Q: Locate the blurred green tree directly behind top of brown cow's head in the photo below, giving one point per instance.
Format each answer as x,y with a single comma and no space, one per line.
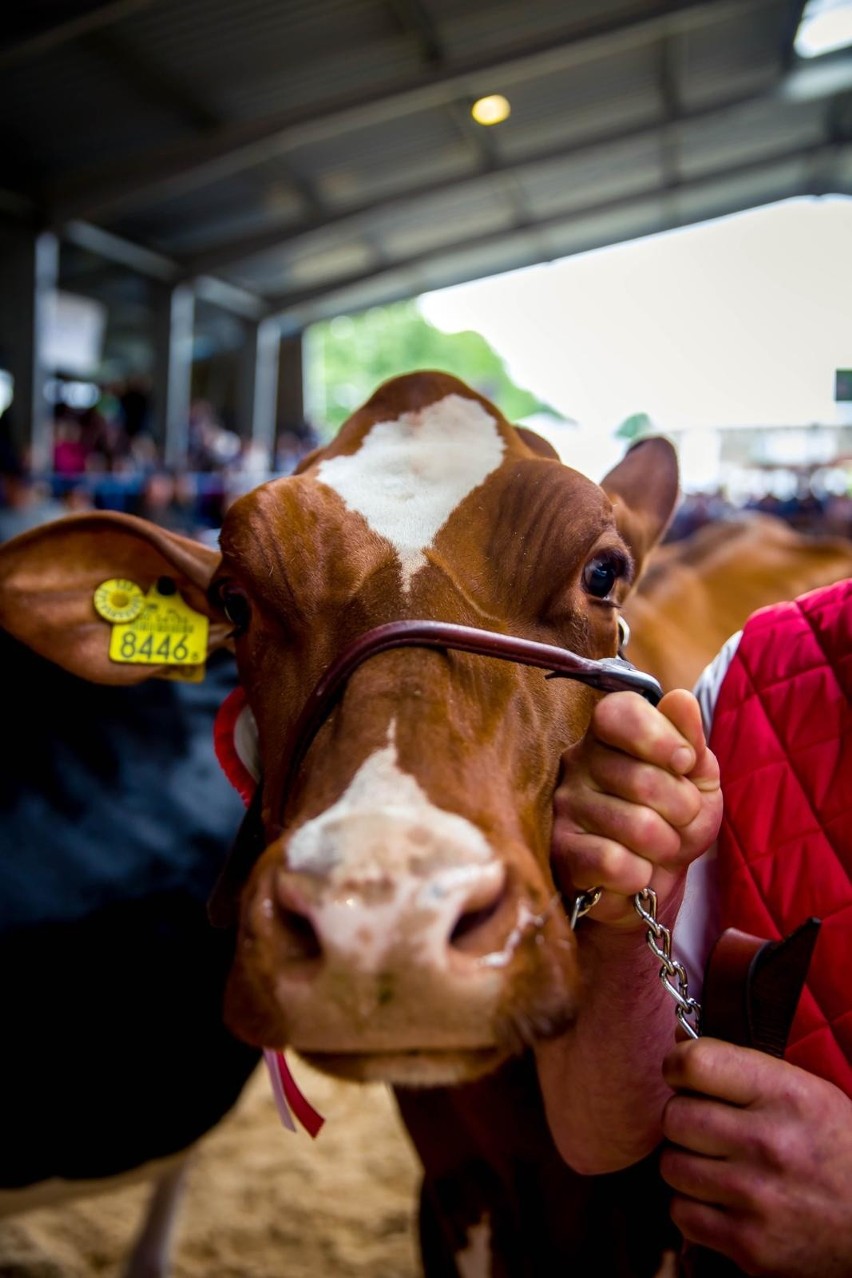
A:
351,356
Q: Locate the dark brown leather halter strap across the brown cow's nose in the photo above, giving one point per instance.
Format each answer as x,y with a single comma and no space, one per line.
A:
607,675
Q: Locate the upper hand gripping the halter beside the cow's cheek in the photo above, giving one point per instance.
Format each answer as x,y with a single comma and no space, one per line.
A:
638,801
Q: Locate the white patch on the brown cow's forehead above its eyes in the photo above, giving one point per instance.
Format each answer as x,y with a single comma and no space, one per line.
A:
411,475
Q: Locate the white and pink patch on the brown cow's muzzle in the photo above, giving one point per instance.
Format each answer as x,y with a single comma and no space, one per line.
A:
385,833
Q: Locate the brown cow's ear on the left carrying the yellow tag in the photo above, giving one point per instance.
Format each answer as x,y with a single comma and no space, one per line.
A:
49,578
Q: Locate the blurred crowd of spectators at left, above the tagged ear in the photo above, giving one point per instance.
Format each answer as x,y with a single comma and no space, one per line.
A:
105,458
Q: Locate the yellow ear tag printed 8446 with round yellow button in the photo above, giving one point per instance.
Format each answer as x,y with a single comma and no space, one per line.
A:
163,632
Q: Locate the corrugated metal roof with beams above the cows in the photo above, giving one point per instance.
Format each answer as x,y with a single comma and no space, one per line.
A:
321,155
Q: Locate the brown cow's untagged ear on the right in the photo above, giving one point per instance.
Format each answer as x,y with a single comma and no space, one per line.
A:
644,491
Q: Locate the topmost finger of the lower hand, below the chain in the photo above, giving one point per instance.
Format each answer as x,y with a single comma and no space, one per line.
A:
721,1070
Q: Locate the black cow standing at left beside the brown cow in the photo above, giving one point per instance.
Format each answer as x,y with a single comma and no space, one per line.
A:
116,821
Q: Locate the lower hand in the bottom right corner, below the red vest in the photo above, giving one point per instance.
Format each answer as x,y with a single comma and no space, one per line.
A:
761,1161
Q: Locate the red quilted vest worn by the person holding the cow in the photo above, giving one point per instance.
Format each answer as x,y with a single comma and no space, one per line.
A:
782,732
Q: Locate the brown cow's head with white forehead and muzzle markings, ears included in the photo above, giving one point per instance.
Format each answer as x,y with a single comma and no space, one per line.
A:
402,922
